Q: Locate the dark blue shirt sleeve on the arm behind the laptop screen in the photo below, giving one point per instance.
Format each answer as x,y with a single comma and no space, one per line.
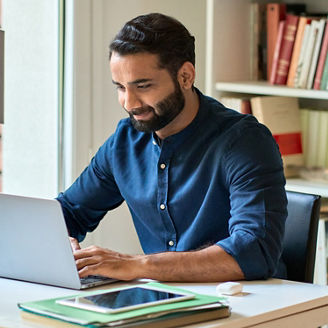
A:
89,198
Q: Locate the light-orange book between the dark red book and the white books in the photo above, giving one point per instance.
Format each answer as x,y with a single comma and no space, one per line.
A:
296,50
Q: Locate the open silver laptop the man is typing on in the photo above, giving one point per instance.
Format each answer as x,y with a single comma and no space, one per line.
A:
35,246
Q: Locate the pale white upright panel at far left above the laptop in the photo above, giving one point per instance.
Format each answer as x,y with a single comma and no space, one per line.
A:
31,107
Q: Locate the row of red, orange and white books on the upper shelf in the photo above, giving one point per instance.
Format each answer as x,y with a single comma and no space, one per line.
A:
295,46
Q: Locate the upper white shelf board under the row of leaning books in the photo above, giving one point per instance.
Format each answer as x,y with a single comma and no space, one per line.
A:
265,88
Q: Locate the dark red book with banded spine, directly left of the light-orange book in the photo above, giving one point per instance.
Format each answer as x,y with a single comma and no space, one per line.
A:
286,49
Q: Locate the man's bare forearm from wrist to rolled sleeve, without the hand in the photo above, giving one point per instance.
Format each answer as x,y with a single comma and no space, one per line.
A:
209,264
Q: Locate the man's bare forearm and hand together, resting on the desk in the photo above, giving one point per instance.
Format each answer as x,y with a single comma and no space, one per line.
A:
209,264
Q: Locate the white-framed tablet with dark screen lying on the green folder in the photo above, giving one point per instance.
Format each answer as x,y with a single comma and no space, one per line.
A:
125,299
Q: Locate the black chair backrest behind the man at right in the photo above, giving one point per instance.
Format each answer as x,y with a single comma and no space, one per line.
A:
300,240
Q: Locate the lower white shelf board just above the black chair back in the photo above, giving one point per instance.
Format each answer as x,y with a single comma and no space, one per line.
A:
310,187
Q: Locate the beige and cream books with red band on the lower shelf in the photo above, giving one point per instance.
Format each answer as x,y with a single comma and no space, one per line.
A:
301,133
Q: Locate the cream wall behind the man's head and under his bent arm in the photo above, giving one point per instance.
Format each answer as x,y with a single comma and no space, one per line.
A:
96,110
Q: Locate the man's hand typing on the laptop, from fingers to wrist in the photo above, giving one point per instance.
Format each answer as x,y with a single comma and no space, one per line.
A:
95,260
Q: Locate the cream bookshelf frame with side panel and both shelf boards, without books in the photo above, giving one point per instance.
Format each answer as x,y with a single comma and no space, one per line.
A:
228,65
